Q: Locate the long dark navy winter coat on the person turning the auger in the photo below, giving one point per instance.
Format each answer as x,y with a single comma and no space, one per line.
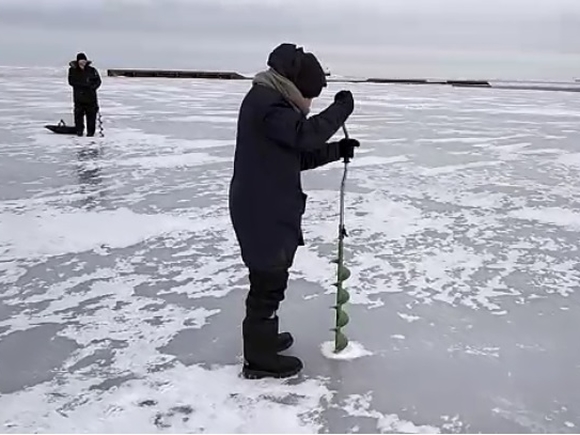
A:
274,144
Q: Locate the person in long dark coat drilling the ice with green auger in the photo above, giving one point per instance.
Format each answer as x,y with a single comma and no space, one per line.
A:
275,141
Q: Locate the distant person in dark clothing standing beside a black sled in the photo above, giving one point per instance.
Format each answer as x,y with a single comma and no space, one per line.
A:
85,80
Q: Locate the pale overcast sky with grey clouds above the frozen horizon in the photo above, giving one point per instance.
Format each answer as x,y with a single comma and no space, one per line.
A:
419,38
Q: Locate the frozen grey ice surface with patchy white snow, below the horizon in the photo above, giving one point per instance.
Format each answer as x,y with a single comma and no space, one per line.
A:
121,286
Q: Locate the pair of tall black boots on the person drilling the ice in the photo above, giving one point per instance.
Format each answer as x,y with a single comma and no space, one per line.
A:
261,344
